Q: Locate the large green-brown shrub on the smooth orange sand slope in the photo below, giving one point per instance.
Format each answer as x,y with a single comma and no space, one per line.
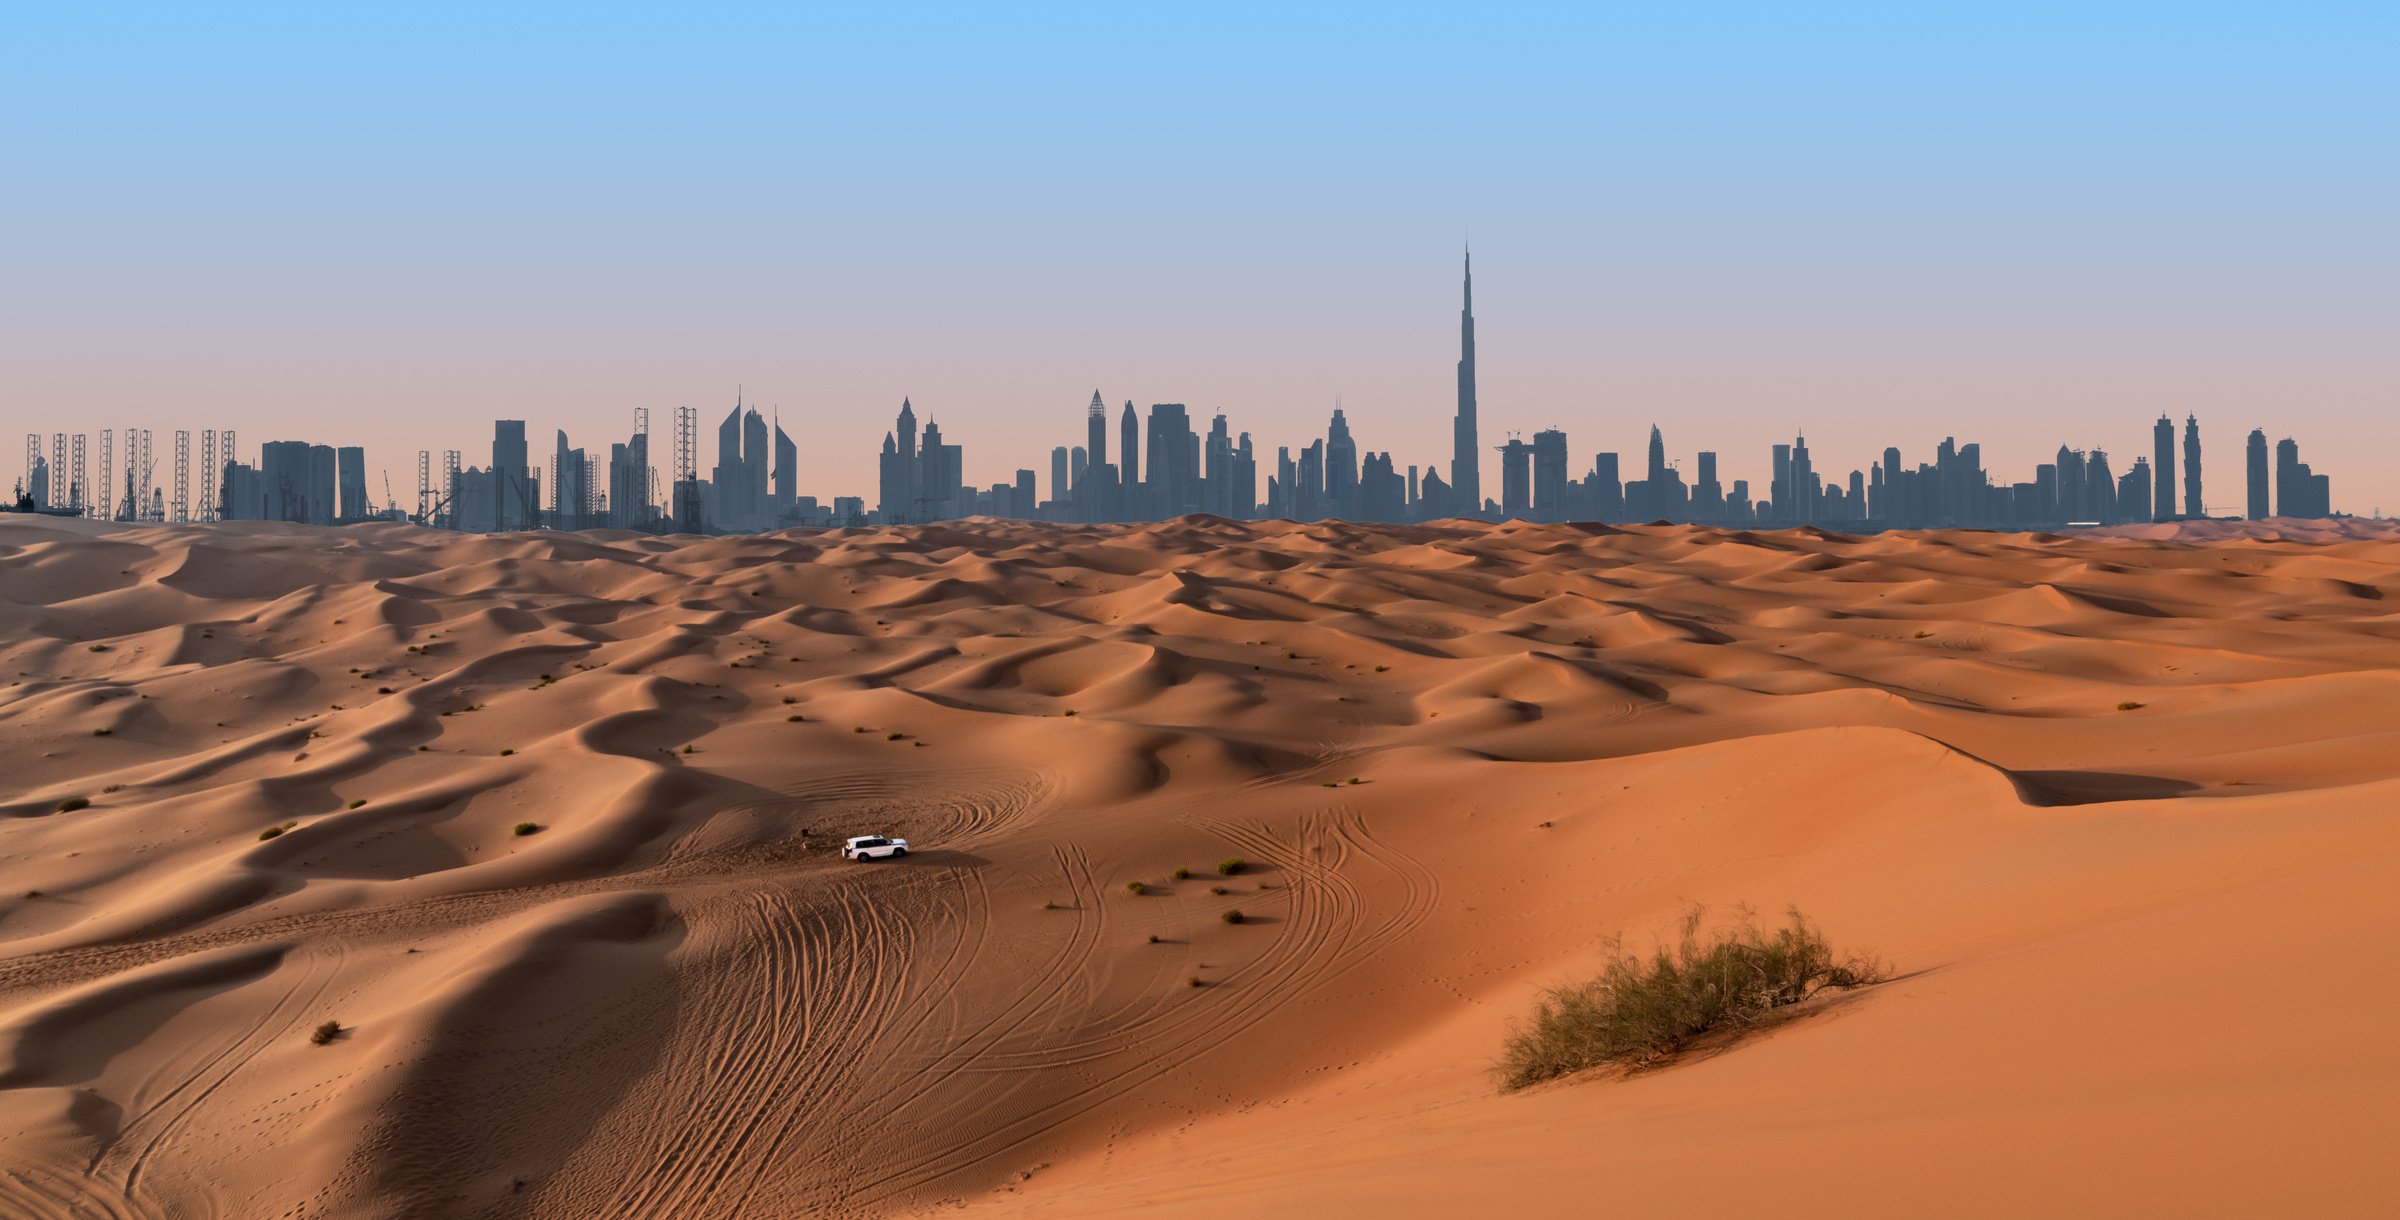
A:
1648,1007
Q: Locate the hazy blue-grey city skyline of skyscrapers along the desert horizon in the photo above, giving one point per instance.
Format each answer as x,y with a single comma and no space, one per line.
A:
1160,467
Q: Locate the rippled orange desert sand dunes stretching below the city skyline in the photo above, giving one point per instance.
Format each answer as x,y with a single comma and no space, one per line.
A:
2118,813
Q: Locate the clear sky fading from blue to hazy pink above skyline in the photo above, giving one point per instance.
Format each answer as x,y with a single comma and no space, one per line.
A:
2022,225
